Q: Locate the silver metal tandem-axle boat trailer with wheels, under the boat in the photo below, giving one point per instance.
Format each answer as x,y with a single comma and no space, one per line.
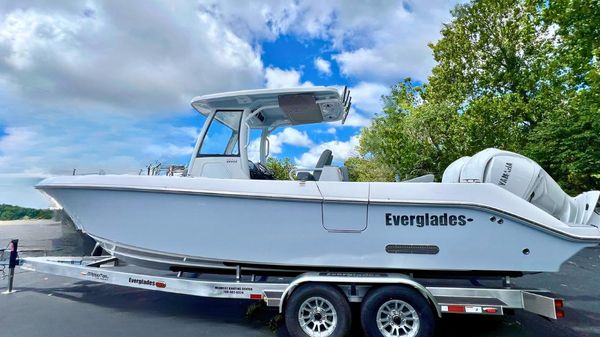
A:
283,292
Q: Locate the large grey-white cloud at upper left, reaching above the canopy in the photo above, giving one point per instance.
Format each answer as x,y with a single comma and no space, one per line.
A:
120,56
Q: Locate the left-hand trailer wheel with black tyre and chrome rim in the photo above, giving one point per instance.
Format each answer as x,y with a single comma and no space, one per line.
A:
318,310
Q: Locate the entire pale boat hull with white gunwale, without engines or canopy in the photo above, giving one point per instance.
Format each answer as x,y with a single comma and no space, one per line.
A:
198,222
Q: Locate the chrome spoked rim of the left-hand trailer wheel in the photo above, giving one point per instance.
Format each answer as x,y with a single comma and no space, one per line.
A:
317,317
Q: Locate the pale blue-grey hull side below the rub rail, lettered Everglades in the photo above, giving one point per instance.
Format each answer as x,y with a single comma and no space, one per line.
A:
282,233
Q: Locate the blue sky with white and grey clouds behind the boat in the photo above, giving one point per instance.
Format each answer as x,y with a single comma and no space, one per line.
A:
106,85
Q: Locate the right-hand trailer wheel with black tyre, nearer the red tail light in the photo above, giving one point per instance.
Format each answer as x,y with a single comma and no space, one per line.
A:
396,311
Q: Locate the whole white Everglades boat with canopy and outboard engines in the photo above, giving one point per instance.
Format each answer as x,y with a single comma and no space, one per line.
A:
495,212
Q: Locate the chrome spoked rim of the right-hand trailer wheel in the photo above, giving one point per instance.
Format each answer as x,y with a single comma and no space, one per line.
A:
396,318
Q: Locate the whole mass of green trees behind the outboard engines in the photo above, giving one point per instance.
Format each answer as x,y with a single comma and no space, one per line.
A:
520,75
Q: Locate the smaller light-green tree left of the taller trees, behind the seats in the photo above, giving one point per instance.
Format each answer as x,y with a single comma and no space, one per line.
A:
413,137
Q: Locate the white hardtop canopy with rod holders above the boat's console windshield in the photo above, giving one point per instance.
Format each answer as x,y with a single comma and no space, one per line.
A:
277,107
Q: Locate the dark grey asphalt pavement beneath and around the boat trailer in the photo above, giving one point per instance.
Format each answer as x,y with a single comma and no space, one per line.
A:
53,306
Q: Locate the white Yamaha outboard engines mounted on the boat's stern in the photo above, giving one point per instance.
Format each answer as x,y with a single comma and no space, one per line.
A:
526,179
